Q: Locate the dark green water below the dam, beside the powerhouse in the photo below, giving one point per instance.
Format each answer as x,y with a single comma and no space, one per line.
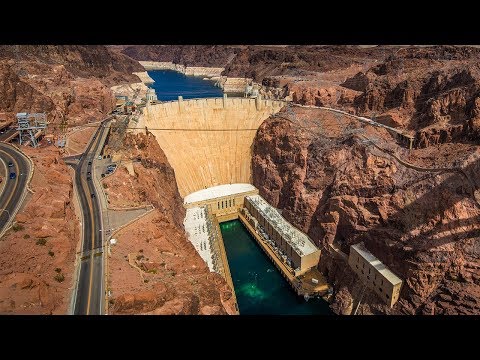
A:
259,286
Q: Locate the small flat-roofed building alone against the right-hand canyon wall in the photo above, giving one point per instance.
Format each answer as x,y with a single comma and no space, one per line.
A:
374,274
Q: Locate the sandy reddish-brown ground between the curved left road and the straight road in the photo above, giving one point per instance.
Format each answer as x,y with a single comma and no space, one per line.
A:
37,255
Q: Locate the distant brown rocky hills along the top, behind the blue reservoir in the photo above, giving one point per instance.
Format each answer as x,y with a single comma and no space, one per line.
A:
259,61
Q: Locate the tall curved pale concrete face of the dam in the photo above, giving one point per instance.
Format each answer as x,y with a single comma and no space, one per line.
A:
208,142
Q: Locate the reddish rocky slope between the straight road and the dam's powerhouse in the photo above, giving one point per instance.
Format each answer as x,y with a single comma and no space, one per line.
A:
167,275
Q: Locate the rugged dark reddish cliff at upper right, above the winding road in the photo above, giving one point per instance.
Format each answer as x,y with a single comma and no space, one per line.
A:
433,90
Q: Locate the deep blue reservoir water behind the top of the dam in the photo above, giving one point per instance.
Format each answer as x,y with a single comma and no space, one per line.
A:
170,84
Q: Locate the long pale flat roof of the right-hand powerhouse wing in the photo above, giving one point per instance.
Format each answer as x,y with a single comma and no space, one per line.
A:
299,241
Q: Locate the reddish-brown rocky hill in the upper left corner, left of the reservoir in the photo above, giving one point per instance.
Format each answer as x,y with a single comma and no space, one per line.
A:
66,82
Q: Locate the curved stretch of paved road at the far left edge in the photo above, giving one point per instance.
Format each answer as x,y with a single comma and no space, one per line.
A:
15,189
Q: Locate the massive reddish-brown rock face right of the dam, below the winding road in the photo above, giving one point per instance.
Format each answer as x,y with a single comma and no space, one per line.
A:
334,186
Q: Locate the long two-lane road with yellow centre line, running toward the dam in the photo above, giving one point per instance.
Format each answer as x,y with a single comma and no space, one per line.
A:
89,294
